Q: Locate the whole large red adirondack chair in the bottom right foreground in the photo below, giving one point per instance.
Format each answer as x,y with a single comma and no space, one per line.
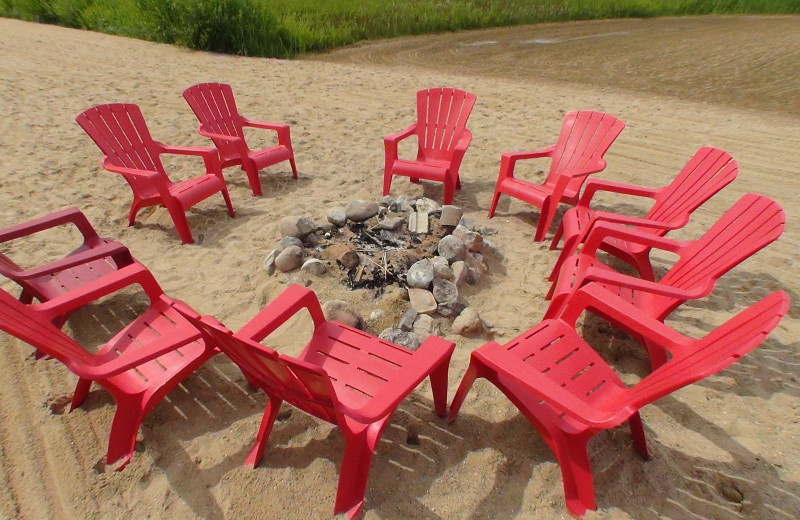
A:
568,393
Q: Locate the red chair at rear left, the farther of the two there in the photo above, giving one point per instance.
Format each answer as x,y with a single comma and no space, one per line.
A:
214,106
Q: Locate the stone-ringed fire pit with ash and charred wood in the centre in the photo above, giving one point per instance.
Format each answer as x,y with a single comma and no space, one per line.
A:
429,251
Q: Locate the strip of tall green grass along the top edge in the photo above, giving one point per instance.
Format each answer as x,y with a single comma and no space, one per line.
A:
283,28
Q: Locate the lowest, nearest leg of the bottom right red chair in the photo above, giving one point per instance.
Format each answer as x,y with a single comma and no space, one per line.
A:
576,472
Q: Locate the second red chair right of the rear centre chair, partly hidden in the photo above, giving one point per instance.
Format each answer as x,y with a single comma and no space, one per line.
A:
707,172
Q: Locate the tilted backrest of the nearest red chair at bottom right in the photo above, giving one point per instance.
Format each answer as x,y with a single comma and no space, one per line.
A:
712,353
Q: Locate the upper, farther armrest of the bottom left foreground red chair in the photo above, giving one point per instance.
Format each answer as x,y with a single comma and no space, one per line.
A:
134,274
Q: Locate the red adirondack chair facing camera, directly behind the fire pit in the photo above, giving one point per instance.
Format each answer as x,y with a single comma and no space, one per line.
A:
442,139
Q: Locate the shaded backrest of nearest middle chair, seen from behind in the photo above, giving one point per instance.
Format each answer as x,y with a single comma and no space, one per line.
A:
305,386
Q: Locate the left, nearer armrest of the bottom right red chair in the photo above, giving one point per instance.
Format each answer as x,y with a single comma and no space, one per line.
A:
498,359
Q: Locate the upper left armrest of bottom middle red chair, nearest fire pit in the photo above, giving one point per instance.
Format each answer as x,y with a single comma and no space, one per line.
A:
293,299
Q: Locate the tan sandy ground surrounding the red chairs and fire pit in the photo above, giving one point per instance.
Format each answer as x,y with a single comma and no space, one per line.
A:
679,84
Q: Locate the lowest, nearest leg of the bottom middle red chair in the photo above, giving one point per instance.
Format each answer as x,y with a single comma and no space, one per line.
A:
360,445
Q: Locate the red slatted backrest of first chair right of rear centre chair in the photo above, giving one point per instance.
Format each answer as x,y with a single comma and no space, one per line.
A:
585,137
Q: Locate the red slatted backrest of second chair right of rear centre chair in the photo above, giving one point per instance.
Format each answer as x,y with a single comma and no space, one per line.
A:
707,172
